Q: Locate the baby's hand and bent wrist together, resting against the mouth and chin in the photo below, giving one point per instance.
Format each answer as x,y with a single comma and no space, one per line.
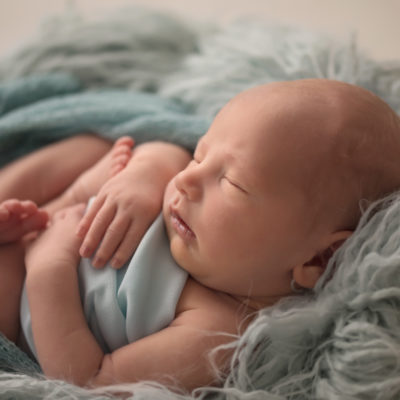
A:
129,202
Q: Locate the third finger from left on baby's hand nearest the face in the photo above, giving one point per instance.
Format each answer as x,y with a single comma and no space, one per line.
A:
111,240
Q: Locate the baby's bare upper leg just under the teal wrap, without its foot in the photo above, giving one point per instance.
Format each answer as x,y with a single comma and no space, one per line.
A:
44,174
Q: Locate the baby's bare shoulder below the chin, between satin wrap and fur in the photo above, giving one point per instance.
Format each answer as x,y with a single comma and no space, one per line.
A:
209,309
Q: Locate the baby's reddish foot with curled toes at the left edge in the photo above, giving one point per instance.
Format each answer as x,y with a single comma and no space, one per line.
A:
18,218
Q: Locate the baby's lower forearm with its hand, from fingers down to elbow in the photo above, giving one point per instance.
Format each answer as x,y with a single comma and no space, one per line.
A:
59,328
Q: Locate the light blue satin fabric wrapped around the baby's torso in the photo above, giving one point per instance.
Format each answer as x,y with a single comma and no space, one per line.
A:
124,305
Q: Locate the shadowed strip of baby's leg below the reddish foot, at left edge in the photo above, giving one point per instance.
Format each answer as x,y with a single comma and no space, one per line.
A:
12,274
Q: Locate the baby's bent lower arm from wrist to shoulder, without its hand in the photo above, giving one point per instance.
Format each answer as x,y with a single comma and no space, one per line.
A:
176,355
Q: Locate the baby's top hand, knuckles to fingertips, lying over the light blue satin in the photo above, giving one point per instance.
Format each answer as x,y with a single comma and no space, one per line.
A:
118,218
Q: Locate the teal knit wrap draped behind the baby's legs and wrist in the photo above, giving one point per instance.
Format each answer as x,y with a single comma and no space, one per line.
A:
38,110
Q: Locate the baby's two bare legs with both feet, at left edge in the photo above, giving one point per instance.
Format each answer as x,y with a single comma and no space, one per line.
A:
20,217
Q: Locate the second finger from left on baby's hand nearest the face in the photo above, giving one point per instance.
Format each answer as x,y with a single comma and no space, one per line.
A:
97,229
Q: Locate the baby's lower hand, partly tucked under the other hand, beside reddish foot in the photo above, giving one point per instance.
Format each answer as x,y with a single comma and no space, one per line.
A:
58,243
